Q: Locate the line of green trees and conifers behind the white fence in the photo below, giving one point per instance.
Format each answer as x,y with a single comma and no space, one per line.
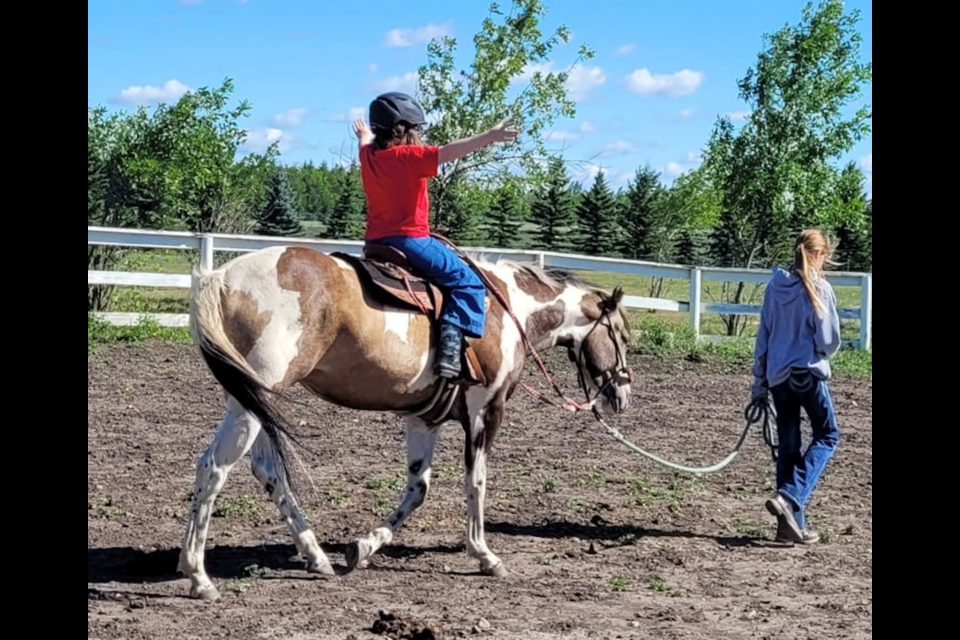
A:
178,166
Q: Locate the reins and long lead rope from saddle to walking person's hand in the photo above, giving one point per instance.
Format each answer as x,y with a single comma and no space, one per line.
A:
758,410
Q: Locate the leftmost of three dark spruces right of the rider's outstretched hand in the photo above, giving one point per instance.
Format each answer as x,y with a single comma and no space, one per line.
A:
553,211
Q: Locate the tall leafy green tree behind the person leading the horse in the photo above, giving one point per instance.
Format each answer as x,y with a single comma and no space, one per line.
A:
774,174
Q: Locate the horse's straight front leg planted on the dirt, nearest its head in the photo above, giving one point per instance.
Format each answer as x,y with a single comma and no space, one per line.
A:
480,428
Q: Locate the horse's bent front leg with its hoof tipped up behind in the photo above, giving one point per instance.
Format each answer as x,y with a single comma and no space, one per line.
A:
421,442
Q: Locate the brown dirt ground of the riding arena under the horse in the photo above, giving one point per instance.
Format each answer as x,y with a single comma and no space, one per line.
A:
599,542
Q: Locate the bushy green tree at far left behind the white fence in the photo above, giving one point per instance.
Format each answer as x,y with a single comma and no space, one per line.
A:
174,168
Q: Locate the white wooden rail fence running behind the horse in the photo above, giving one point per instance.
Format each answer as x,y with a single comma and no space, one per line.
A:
207,244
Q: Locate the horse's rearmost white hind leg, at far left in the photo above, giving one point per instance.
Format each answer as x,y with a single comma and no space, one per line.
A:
236,435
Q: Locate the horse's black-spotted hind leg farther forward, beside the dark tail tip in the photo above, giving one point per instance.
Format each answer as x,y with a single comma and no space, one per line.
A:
264,464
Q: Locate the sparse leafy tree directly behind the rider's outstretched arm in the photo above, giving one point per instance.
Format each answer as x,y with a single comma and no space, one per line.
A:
462,102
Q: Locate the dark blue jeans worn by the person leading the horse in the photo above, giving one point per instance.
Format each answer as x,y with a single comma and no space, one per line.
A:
797,474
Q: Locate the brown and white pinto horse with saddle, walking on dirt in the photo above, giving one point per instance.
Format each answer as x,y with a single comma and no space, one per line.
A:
360,332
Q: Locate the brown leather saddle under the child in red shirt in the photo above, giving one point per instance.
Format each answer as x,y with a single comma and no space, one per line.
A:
387,276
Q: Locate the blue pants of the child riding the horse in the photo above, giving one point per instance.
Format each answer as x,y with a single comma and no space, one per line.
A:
464,292
